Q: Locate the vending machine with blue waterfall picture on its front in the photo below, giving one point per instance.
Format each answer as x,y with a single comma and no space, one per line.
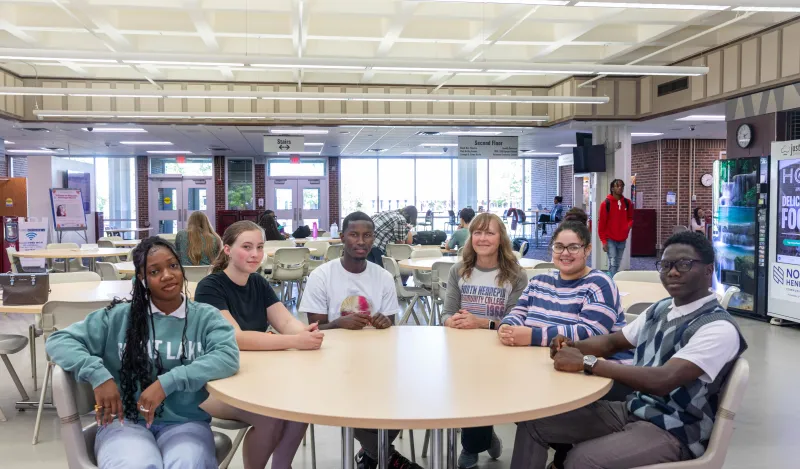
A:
739,232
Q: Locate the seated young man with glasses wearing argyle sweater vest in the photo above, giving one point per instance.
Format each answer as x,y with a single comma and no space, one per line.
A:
684,347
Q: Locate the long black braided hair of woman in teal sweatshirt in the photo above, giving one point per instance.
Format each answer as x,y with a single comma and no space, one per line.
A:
137,367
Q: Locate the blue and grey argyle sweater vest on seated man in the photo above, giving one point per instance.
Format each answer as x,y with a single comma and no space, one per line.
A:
688,412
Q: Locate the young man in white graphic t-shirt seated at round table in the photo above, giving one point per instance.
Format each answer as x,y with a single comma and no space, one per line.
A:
352,293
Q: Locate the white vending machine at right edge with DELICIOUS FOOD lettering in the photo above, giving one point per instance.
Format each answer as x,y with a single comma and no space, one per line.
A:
784,236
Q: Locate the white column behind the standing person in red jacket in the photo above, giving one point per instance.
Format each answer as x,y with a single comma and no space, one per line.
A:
617,139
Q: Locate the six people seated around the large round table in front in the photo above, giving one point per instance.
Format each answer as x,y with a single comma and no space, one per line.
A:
149,358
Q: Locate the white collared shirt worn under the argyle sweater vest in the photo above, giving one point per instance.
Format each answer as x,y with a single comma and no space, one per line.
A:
710,348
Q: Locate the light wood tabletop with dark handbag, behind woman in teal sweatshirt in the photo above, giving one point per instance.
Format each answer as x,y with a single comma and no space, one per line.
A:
83,291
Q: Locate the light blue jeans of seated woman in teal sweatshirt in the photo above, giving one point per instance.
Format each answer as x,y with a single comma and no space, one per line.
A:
182,446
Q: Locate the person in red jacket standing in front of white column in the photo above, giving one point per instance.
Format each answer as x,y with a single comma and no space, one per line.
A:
616,221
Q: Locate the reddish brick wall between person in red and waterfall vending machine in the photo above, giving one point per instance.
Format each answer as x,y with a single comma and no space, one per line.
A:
685,183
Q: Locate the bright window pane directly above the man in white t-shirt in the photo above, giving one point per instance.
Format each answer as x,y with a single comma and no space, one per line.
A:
358,185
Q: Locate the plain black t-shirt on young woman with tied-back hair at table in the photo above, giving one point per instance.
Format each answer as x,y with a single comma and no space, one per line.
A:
247,304
